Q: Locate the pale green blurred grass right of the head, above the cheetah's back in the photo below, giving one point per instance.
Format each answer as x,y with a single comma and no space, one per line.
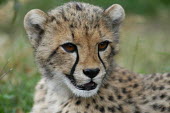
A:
145,45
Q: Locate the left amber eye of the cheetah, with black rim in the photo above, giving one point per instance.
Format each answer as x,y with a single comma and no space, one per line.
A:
69,47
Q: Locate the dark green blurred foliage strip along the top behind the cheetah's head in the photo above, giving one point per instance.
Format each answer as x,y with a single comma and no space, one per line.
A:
131,6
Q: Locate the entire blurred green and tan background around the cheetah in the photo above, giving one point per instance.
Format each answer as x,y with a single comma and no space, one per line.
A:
144,45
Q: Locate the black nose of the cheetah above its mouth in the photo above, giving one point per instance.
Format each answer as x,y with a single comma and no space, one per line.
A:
91,72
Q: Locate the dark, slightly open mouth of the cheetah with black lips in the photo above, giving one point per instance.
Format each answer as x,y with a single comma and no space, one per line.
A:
88,86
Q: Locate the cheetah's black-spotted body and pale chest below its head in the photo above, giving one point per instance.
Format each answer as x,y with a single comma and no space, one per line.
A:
124,92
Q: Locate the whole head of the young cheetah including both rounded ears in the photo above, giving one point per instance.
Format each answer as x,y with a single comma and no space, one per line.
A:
75,44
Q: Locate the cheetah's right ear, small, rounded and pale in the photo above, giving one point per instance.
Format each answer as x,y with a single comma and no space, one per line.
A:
116,13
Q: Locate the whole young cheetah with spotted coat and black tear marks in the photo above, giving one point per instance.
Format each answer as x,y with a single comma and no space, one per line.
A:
74,46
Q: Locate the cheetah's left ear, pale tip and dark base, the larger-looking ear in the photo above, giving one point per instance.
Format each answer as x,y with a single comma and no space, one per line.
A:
34,23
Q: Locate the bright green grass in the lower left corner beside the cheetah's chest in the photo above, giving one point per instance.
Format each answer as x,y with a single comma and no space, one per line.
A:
17,96
